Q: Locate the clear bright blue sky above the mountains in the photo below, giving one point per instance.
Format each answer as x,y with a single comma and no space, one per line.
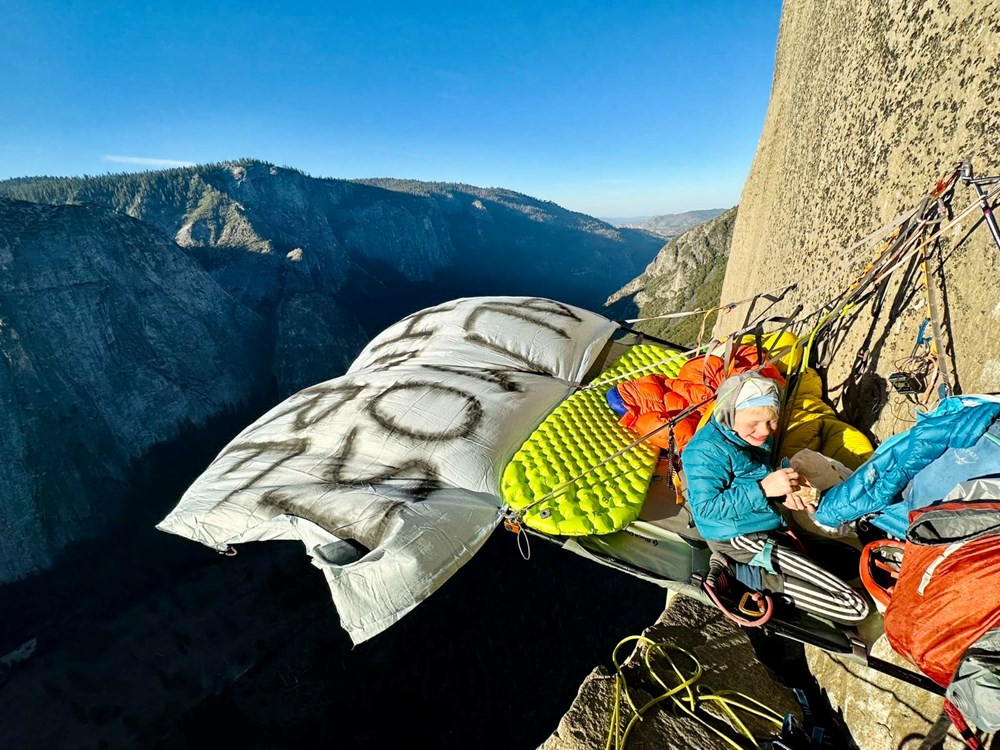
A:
610,108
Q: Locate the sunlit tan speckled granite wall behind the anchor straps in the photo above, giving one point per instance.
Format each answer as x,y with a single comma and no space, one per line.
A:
871,104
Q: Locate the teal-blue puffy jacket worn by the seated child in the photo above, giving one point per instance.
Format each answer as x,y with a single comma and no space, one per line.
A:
723,472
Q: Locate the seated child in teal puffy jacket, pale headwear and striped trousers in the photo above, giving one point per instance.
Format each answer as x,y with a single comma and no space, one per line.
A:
732,491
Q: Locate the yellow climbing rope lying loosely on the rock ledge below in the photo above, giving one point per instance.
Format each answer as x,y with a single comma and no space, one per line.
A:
692,699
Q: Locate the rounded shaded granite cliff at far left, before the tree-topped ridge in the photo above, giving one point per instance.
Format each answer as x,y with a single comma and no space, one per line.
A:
111,338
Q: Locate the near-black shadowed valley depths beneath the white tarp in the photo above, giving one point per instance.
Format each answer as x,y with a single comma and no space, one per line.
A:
148,640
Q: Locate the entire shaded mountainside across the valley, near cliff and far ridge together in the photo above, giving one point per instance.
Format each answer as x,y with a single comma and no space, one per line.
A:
133,304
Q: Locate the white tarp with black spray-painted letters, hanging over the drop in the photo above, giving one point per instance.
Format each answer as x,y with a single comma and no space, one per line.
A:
403,454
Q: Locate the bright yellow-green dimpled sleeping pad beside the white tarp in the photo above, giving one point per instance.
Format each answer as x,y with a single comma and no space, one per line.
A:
577,436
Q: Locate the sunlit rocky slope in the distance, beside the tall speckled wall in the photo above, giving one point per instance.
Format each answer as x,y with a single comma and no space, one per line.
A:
685,275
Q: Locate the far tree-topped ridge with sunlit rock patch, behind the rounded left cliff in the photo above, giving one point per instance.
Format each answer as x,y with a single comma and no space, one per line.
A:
380,247
